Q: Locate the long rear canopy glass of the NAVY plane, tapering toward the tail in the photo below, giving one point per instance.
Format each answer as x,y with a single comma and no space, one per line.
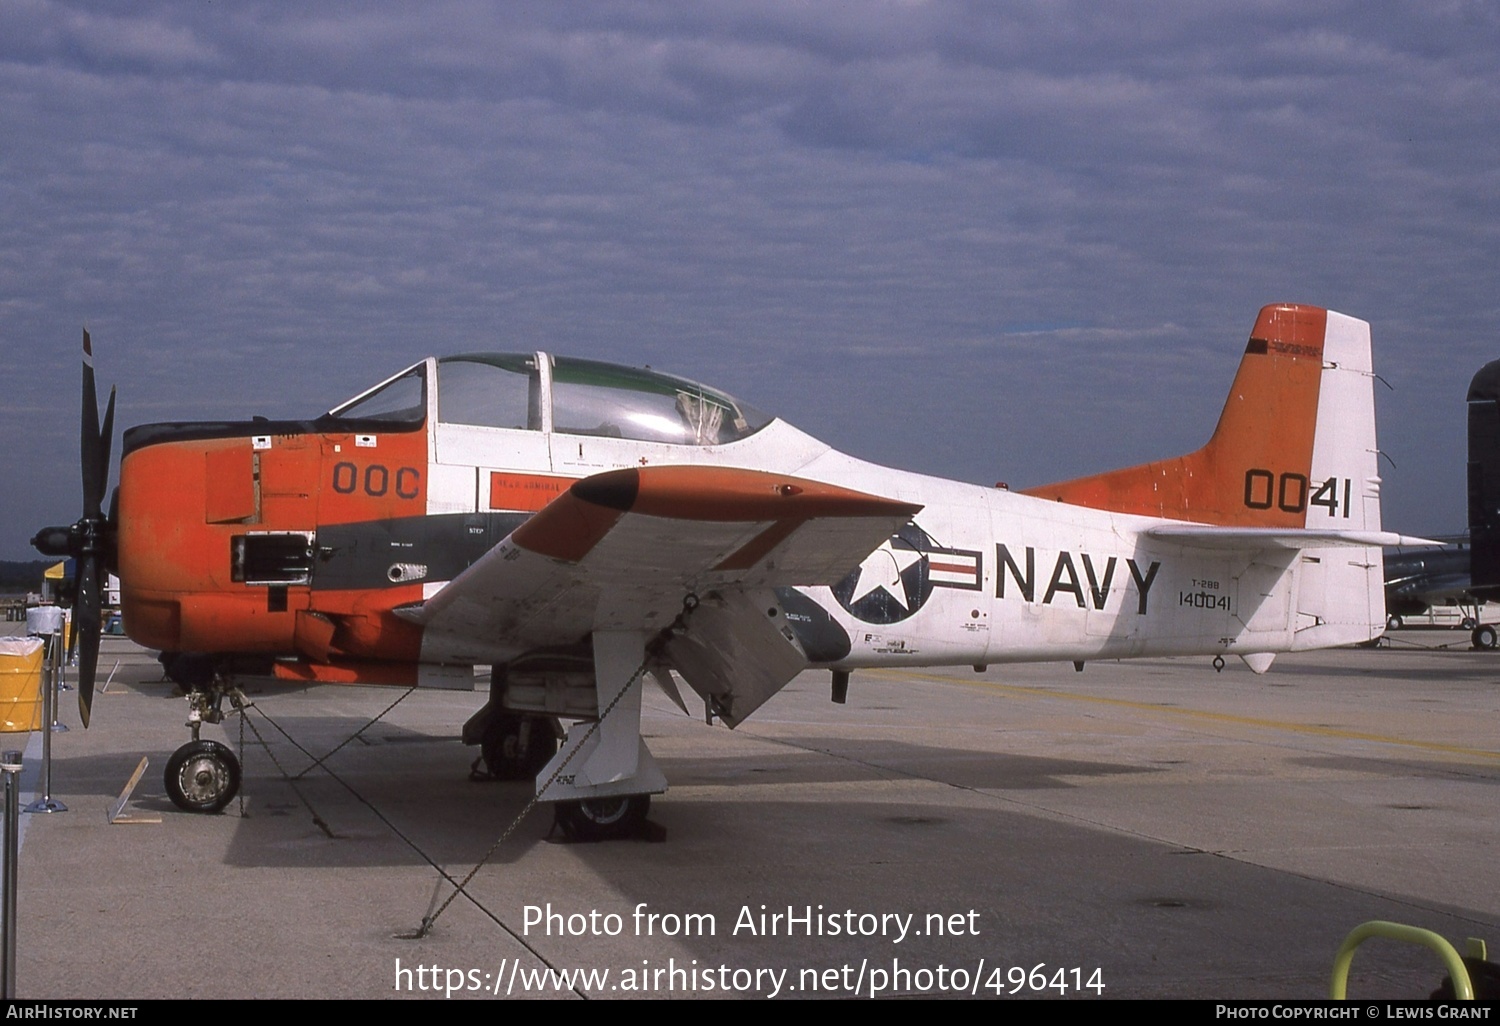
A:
593,398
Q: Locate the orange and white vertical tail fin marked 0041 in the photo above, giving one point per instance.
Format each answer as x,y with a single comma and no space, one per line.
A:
1295,446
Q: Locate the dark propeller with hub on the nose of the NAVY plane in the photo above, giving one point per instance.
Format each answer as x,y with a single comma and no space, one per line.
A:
92,539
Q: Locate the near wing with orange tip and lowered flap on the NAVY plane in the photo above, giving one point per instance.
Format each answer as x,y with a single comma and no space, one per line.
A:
620,551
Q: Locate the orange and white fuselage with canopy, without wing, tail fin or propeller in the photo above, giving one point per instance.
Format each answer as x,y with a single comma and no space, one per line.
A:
301,539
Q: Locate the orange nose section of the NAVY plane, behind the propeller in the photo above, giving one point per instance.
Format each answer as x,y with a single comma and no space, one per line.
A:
220,541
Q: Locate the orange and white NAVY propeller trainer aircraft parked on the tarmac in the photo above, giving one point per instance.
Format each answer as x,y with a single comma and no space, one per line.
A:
583,527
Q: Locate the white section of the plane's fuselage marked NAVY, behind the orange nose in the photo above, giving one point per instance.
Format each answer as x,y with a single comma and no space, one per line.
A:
983,575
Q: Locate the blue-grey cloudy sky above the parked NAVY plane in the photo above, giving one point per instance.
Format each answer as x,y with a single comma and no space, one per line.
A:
989,241
